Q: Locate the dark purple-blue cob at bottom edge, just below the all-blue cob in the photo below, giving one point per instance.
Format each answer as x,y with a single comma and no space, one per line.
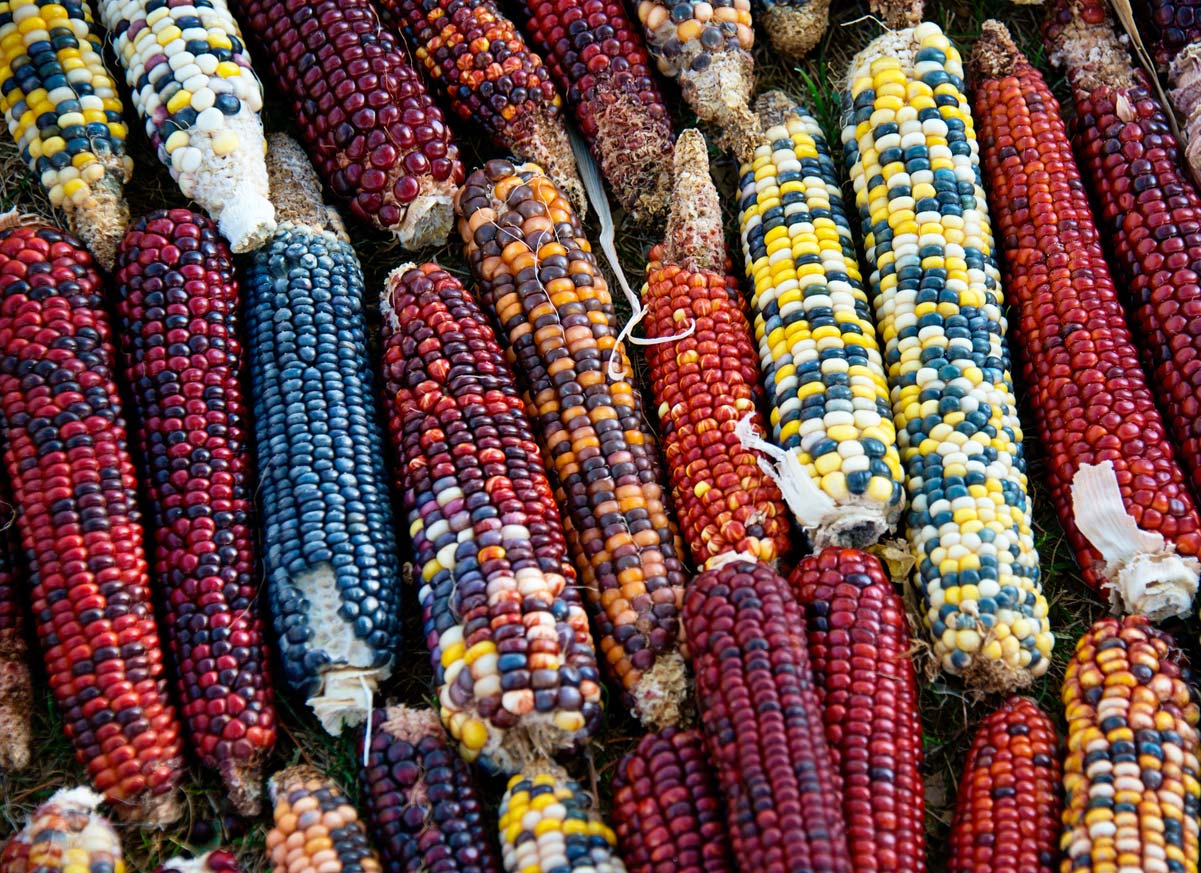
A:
421,798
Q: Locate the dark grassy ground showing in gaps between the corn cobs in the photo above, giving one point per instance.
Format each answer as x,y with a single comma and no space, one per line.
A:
948,711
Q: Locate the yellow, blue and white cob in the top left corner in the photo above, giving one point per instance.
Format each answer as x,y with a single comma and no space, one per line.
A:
65,115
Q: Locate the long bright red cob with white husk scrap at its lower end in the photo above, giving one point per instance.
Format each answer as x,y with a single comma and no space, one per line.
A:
1092,403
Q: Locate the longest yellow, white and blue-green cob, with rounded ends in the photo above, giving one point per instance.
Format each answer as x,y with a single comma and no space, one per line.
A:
913,158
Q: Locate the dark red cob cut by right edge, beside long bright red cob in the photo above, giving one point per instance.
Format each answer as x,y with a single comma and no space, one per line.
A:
1149,211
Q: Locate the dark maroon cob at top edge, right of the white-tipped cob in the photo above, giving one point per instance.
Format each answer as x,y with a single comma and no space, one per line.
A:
372,129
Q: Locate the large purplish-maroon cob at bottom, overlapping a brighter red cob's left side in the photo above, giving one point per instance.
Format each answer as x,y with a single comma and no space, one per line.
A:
763,721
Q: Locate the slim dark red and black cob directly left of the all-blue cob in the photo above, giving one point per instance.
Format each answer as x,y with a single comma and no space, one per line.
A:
178,302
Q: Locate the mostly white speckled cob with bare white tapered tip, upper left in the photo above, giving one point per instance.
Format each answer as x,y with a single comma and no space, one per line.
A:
195,91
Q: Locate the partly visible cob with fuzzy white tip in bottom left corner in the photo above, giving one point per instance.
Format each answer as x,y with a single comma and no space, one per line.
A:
65,835
